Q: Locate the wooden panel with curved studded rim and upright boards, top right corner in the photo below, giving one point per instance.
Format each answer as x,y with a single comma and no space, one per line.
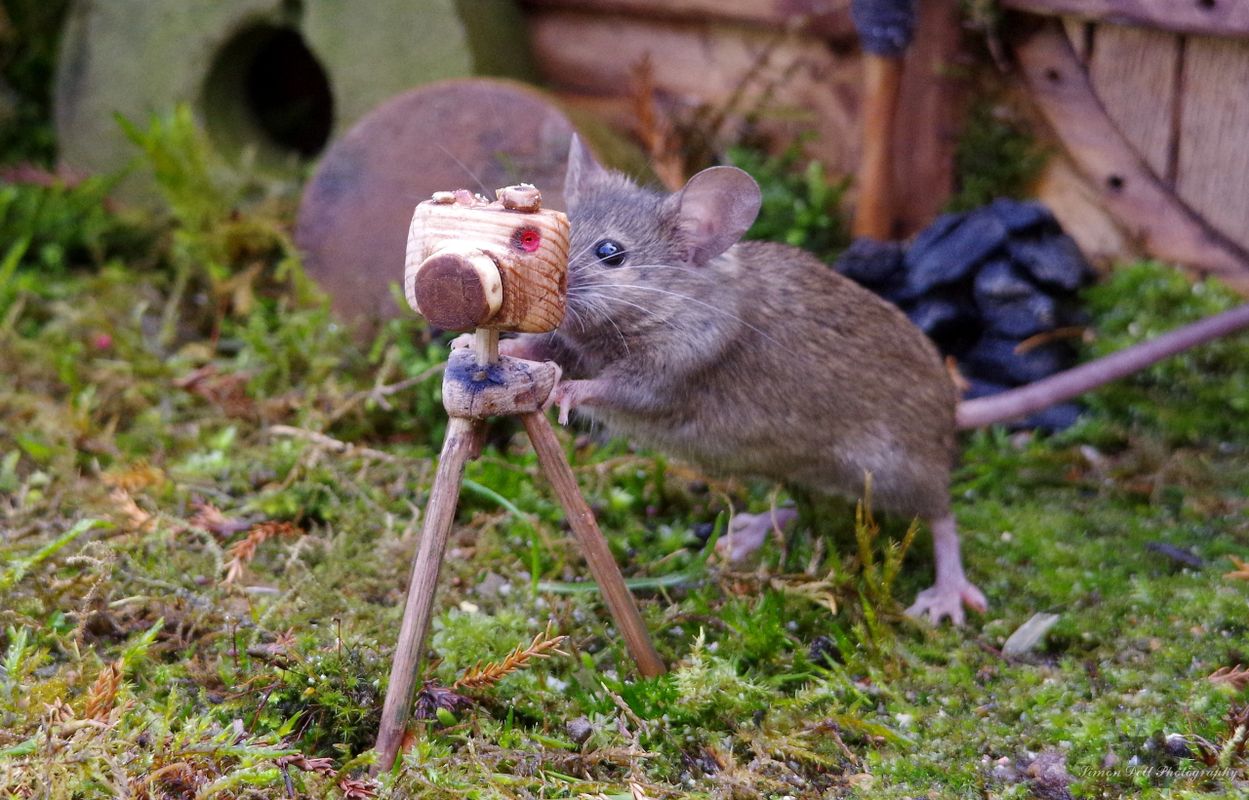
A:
1151,100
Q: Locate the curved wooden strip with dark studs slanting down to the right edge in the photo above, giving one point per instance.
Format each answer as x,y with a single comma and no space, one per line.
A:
1155,217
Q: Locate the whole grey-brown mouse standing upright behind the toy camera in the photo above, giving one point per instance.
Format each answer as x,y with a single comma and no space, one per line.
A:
755,360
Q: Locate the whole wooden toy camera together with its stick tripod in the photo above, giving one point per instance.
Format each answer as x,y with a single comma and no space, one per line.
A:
475,265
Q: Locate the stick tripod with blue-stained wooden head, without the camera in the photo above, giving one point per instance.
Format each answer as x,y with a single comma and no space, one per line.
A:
480,384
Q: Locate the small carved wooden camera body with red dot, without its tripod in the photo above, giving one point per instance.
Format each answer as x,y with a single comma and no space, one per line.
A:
475,264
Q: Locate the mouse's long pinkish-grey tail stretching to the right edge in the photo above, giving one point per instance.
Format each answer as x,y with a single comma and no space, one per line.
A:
1064,386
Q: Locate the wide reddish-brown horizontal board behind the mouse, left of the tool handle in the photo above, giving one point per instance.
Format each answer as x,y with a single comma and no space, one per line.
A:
795,83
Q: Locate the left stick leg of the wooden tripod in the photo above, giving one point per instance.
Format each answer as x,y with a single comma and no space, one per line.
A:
462,444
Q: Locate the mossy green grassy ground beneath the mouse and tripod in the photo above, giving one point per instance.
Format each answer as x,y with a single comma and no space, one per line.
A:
208,506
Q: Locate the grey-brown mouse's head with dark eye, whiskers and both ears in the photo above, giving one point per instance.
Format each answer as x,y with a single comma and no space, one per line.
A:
630,244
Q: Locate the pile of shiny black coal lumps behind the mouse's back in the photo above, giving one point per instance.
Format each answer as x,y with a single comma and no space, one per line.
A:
987,286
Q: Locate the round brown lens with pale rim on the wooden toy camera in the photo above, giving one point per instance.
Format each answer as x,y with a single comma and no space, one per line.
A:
458,289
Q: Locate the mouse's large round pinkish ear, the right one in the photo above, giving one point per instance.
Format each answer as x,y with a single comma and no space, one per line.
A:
715,210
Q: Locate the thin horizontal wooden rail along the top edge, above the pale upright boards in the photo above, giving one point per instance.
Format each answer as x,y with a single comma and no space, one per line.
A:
1211,18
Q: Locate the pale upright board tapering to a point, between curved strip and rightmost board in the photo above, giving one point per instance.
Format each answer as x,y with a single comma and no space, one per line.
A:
1135,73
